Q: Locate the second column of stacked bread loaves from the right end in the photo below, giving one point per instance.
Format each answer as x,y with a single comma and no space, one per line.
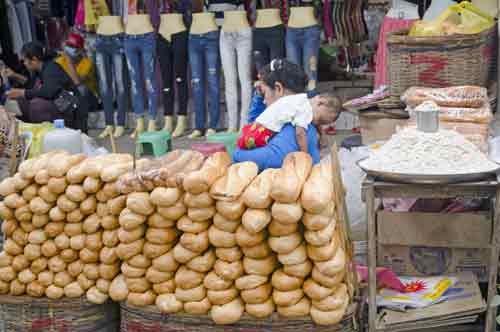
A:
287,236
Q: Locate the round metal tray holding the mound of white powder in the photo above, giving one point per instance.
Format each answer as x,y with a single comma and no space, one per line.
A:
428,179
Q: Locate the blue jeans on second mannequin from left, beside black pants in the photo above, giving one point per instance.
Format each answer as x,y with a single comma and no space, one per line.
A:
141,53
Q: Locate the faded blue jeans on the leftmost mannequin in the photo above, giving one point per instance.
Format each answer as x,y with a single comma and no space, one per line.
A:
109,62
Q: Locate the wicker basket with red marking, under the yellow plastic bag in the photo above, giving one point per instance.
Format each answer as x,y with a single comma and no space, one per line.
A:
437,62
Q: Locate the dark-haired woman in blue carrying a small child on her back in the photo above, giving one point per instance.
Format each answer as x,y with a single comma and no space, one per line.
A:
285,79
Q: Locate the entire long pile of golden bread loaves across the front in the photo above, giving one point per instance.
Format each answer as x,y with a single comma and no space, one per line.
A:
184,233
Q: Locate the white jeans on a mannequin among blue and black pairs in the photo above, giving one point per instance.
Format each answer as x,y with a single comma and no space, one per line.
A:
236,51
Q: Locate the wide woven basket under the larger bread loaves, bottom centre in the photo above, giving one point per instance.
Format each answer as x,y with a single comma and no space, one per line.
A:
149,319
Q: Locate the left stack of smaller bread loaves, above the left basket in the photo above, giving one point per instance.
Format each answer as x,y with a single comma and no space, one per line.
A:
55,236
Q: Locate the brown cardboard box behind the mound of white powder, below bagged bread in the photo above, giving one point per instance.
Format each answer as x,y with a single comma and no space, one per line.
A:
378,129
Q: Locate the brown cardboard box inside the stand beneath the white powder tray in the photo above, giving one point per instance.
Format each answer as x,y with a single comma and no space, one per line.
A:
425,244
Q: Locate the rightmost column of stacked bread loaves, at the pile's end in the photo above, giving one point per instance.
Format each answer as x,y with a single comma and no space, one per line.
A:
324,286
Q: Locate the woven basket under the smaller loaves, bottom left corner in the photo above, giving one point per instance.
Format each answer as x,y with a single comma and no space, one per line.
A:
27,314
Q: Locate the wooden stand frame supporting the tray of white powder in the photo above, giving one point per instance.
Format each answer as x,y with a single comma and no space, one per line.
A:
489,189
